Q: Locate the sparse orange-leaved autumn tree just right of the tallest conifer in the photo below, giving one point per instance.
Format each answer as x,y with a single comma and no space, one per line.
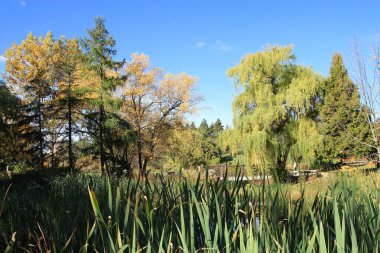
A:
154,105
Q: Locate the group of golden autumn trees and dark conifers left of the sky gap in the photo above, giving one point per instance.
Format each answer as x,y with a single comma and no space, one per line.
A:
69,102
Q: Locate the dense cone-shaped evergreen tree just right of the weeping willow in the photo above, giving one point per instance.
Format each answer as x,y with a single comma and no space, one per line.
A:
342,118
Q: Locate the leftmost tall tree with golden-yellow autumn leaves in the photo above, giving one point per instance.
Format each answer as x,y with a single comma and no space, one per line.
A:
30,74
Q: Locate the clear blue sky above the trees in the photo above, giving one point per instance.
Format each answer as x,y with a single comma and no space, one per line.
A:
202,37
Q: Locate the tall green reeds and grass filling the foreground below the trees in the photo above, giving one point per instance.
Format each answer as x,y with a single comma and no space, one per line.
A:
89,213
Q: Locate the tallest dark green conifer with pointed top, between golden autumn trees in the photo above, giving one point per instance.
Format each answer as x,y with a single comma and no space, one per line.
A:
99,50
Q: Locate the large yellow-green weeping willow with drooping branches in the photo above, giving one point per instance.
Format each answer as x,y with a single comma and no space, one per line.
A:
274,110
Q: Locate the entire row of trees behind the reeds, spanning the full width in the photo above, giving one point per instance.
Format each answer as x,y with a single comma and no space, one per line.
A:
71,103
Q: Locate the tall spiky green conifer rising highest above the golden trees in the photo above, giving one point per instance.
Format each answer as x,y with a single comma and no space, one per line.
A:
99,50
